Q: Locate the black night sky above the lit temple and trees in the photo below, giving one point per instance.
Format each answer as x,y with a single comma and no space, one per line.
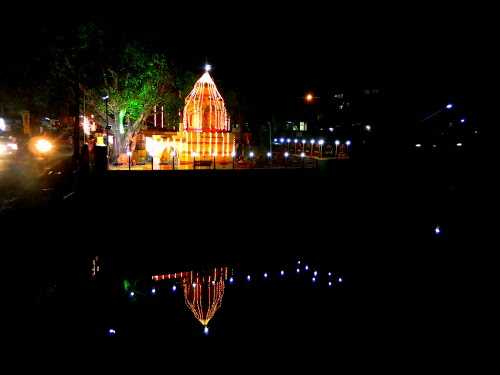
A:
274,54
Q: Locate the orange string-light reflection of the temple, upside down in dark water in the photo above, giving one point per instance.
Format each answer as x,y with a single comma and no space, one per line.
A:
203,291
